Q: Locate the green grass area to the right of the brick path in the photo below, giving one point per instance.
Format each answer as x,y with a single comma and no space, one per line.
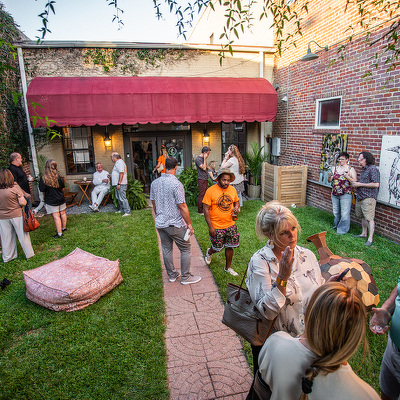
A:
382,257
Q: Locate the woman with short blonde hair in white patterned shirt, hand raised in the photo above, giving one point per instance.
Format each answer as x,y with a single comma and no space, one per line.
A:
281,276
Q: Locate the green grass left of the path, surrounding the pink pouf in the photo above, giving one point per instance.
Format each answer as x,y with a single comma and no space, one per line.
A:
113,349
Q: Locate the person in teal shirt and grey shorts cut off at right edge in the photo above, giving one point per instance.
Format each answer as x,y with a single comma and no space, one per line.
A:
389,377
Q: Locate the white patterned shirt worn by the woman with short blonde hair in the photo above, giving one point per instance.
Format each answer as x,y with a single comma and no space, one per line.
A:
305,279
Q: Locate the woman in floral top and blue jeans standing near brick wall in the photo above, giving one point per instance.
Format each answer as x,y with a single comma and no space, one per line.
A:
342,194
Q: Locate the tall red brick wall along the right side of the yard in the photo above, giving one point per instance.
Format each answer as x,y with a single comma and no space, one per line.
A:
369,108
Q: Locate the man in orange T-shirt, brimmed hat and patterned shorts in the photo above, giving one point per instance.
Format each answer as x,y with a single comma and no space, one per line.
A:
221,206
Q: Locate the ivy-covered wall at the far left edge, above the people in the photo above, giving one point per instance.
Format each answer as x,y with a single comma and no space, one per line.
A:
13,128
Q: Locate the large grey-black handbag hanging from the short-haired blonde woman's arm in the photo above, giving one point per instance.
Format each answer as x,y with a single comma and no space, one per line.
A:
242,316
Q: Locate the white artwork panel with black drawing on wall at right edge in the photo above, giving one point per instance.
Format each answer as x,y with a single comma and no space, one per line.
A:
389,167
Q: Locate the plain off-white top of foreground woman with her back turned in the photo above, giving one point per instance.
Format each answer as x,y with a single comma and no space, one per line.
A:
283,361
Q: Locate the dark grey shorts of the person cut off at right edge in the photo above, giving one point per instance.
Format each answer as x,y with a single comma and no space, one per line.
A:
389,377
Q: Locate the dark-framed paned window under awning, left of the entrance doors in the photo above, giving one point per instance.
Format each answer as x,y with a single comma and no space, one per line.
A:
78,150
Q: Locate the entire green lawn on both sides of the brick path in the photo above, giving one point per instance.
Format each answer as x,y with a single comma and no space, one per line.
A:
114,349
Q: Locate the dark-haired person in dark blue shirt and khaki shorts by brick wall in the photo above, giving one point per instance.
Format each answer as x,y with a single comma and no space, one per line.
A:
367,189
